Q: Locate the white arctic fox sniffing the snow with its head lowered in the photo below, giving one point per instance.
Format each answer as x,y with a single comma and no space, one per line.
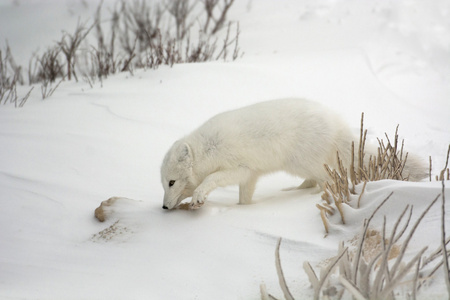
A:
237,147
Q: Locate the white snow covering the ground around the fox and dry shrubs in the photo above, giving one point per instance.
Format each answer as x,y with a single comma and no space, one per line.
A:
61,157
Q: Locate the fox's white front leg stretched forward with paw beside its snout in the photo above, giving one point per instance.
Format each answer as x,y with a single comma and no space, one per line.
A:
218,179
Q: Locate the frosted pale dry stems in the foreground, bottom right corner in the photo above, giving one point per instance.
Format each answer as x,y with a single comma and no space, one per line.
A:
378,274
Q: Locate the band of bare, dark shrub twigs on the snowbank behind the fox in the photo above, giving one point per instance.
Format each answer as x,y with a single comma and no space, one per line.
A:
140,35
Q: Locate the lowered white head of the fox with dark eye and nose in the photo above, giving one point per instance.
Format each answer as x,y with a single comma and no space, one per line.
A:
176,175
